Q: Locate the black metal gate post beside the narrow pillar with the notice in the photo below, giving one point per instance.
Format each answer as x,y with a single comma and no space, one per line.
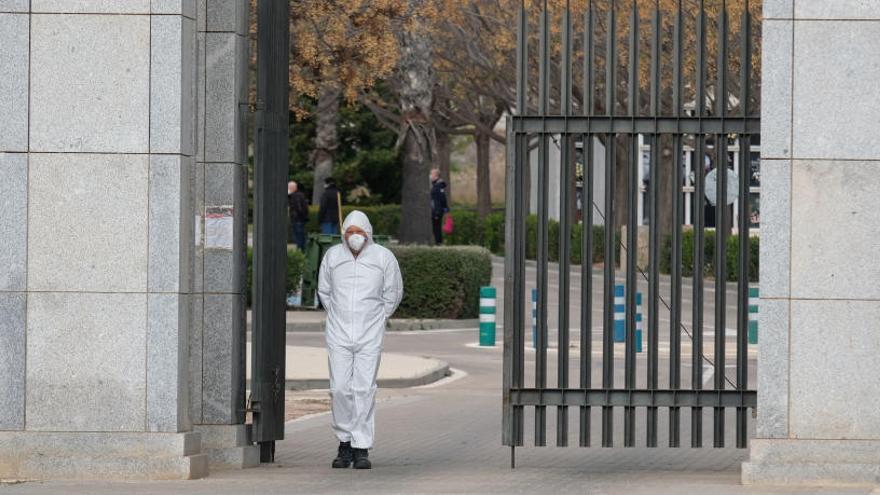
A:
270,226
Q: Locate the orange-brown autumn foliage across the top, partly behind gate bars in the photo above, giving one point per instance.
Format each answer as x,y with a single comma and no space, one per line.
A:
354,43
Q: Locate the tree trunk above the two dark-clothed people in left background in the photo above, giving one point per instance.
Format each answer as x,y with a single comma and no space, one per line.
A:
326,139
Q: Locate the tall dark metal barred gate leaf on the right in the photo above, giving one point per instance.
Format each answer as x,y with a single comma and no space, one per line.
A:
629,125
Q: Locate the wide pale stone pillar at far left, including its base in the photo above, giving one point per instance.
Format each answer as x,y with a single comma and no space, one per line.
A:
96,221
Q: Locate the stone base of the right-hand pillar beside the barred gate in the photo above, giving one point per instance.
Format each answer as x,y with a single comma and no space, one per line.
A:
812,462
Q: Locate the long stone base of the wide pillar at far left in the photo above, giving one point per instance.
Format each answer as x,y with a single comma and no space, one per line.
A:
31,455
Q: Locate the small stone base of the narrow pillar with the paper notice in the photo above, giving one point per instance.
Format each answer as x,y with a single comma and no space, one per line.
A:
229,446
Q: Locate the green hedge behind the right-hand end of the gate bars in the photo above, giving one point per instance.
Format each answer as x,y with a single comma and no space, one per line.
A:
687,255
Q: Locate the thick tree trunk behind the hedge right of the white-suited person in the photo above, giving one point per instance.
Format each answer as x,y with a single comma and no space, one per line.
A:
415,81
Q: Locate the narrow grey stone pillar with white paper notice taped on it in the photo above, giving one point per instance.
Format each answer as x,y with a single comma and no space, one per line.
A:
218,340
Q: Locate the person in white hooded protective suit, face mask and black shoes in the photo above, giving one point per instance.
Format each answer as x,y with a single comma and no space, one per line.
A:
360,287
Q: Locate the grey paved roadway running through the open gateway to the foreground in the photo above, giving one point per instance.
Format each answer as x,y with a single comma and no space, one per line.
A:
446,438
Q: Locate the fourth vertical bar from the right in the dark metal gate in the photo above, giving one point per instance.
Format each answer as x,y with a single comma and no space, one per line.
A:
677,222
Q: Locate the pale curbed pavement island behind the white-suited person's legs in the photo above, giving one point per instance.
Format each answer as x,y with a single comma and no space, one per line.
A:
306,369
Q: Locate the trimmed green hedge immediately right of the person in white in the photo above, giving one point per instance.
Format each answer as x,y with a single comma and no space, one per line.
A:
442,282
